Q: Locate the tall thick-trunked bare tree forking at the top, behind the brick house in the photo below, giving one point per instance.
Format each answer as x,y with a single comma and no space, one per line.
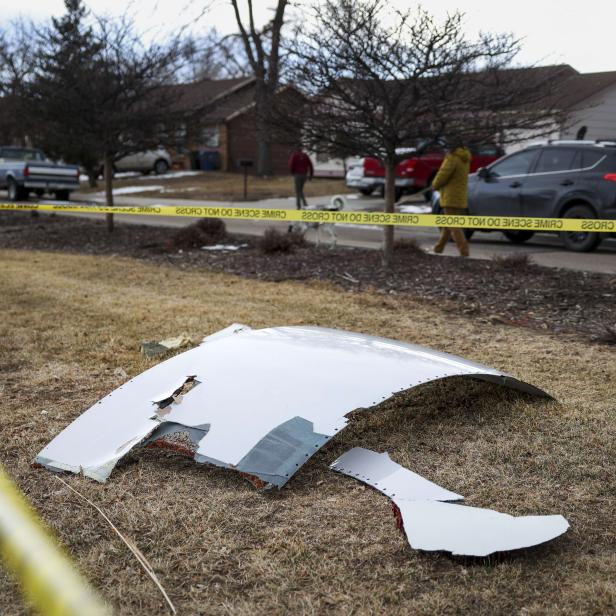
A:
262,49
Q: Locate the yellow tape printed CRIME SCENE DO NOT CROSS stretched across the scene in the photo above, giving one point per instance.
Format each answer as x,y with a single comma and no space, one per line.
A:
593,225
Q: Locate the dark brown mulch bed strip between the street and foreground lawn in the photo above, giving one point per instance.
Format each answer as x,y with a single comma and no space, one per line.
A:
511,291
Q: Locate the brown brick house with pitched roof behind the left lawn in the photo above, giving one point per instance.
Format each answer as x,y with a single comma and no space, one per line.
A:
214,120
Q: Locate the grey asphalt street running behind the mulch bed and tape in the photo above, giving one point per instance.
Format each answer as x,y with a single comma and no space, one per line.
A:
545,249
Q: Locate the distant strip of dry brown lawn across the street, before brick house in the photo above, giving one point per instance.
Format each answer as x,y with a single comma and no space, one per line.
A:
221,186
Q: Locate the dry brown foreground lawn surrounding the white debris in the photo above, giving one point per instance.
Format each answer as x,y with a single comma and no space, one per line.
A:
324,544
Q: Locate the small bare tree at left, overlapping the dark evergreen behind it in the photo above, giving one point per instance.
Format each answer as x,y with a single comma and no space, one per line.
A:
99,92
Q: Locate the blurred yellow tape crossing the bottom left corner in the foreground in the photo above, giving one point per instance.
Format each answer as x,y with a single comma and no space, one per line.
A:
46,575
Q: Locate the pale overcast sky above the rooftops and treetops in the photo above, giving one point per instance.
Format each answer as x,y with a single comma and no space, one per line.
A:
577,33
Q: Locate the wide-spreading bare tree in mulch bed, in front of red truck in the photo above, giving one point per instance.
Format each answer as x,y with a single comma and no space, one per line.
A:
381,80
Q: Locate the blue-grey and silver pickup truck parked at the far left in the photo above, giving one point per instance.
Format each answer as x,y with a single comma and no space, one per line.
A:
26,170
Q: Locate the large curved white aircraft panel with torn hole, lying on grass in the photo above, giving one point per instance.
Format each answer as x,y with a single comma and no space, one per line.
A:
259,401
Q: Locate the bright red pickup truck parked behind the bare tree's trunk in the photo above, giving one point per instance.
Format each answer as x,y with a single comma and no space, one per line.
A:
415,172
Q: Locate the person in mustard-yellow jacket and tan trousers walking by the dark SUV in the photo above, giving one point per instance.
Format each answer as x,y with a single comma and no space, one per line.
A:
452,183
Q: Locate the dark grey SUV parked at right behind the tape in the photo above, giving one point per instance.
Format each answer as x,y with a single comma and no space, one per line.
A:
556,179
